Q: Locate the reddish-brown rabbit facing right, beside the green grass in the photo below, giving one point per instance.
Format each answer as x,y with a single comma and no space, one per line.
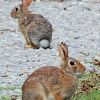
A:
53,83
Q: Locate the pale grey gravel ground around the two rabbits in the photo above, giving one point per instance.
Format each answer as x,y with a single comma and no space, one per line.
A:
75,23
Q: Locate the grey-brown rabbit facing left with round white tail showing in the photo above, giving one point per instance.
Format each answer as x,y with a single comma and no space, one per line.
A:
36,29
